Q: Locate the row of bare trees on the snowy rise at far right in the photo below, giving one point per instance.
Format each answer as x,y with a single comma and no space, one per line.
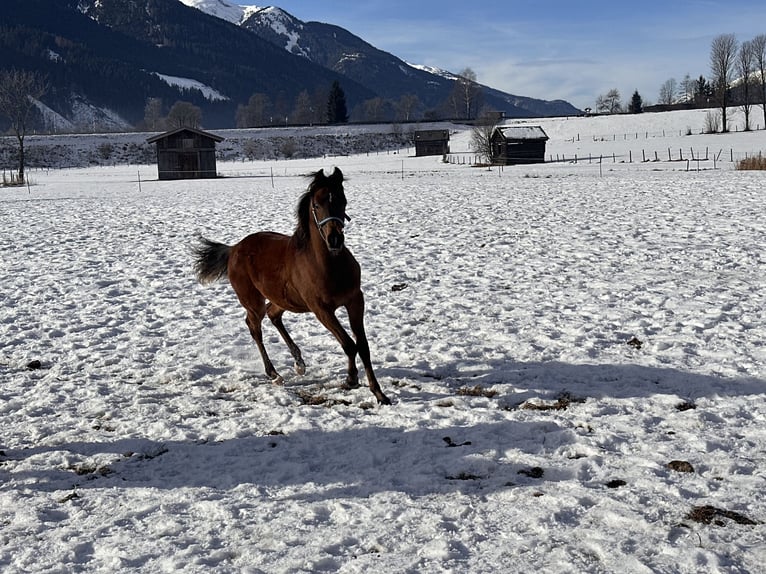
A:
737,79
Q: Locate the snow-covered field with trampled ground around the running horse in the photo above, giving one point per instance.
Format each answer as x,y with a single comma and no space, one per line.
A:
575,353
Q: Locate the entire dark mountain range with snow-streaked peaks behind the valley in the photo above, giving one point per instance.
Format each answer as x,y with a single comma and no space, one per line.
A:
105,59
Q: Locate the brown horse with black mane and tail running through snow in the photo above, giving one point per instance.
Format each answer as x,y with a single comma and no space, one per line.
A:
310,271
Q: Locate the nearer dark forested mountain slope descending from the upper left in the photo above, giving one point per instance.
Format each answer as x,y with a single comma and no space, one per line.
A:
116,54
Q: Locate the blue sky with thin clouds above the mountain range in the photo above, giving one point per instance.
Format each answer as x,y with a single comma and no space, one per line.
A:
548,49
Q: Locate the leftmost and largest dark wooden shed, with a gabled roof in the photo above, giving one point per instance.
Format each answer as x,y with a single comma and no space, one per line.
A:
186,153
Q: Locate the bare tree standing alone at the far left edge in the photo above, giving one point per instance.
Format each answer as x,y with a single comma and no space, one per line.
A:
19,91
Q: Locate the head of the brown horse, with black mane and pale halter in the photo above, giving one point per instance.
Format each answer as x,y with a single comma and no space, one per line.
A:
326,203
